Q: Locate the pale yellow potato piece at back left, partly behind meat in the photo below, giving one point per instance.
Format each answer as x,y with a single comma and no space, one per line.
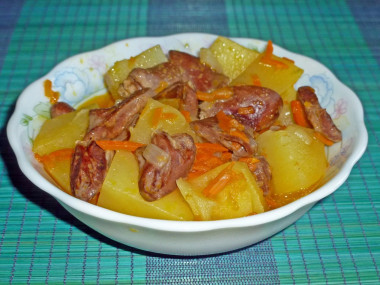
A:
120,70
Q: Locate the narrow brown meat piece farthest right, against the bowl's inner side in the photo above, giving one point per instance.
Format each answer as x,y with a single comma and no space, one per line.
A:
317,116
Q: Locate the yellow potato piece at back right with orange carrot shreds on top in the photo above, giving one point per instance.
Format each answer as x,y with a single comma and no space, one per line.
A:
277,79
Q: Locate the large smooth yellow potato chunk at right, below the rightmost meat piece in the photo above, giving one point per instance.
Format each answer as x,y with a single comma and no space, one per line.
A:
297,158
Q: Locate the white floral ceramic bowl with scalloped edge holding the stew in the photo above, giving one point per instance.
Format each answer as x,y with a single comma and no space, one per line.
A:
80,76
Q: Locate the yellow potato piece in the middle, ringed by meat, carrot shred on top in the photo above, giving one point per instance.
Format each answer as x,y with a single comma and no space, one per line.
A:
170,121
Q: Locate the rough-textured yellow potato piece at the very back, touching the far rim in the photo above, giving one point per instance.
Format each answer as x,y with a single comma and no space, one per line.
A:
233,58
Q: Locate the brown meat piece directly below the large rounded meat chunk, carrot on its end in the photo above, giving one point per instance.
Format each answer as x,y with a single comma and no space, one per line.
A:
209,130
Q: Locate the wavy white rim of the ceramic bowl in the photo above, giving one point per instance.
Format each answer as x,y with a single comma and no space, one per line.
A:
188,226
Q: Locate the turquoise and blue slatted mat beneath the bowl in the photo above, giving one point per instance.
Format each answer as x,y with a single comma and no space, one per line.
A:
338,241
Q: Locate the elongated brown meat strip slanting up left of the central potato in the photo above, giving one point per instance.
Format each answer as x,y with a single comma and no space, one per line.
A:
113,122
